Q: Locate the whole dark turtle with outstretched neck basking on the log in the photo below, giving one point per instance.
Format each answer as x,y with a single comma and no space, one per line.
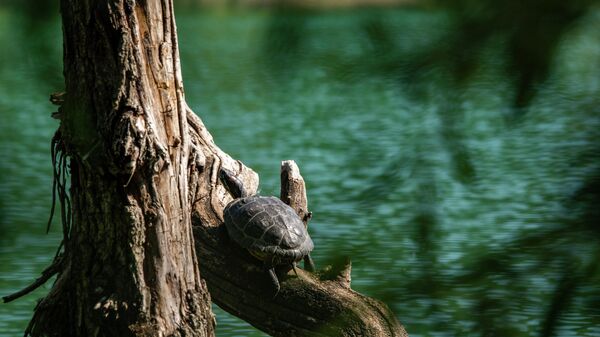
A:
267,228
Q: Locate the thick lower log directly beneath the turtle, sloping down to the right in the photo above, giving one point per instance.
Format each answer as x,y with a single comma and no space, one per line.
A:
305,306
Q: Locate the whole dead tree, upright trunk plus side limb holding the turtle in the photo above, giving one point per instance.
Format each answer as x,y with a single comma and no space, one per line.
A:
143,170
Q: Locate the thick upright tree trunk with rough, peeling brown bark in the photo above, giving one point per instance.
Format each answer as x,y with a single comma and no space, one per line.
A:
128,267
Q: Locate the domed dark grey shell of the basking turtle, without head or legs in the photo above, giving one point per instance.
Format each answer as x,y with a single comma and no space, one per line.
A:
268,228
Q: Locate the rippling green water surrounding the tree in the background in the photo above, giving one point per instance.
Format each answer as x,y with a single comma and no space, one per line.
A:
461,172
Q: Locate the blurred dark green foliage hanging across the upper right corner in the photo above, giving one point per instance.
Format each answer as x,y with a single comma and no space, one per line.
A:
530,30
